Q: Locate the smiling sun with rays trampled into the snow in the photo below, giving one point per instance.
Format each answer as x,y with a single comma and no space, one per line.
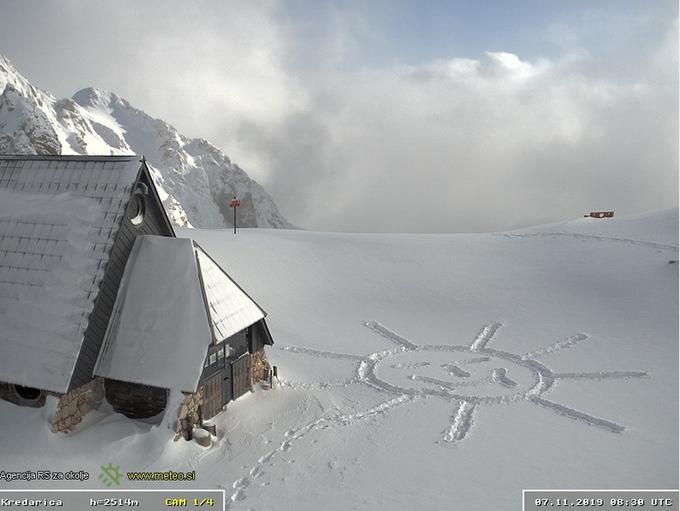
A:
467,376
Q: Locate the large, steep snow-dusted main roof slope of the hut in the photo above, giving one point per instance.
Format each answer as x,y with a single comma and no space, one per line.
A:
58,220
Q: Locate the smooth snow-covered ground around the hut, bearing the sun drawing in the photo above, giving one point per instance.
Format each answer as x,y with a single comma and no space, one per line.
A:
428,371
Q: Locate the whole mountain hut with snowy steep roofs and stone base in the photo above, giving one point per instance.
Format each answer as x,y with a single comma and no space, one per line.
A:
99,299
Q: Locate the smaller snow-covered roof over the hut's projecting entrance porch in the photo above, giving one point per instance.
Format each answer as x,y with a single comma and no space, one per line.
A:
160,329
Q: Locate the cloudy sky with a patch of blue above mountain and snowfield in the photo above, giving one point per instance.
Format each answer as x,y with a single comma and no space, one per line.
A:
419,116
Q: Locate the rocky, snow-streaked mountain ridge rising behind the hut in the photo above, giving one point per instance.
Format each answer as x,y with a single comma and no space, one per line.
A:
195,179
